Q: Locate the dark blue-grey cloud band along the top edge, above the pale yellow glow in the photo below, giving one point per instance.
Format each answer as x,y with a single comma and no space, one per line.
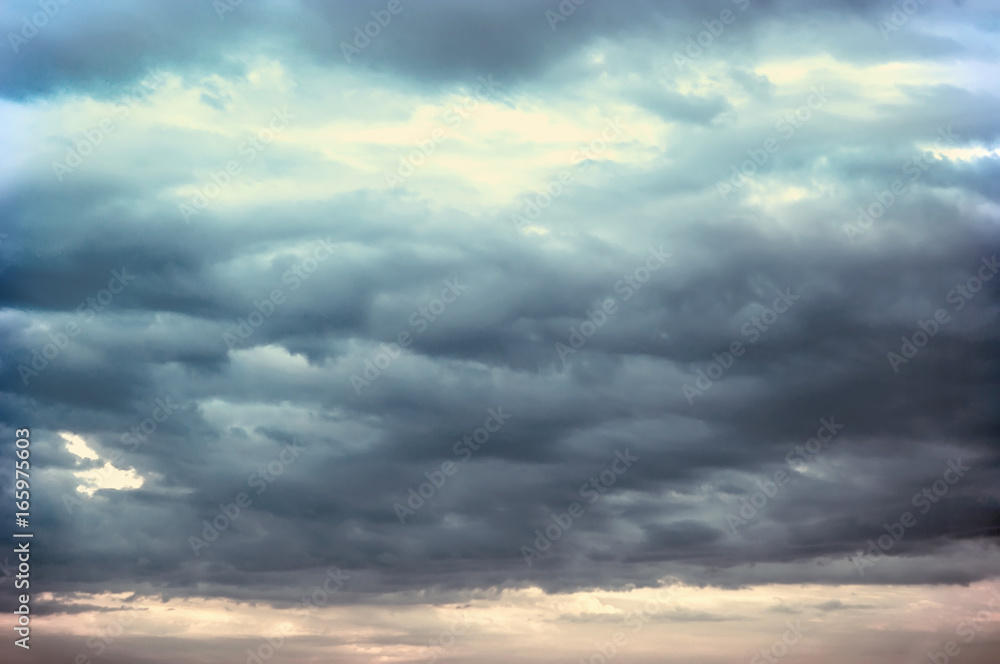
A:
98,50
